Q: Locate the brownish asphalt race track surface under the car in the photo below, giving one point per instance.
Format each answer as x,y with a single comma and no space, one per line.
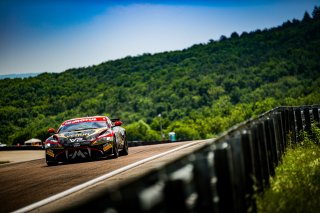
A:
25,183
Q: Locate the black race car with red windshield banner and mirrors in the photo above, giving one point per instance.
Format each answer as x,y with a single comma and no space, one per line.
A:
86,138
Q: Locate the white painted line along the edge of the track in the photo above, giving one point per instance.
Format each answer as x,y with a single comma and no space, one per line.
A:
96,180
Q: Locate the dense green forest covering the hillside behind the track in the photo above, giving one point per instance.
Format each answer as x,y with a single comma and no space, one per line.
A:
199,91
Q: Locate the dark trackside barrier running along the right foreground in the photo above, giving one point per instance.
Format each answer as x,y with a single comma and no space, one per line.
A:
220,177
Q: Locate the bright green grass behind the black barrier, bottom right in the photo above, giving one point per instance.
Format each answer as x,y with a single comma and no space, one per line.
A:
296,185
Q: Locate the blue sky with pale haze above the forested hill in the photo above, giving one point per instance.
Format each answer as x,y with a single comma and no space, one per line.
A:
55,35
